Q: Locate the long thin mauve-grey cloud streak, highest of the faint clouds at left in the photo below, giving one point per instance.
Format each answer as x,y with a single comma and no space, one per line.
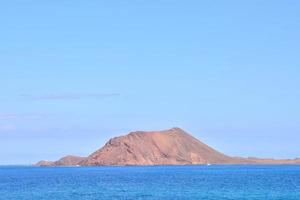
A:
70,96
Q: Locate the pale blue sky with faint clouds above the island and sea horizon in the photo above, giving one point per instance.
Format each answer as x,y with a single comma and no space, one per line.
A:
75,73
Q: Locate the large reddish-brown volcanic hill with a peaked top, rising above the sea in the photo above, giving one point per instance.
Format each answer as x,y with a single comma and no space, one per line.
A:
170,147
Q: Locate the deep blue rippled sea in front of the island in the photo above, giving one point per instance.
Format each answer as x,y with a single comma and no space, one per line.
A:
159,182
